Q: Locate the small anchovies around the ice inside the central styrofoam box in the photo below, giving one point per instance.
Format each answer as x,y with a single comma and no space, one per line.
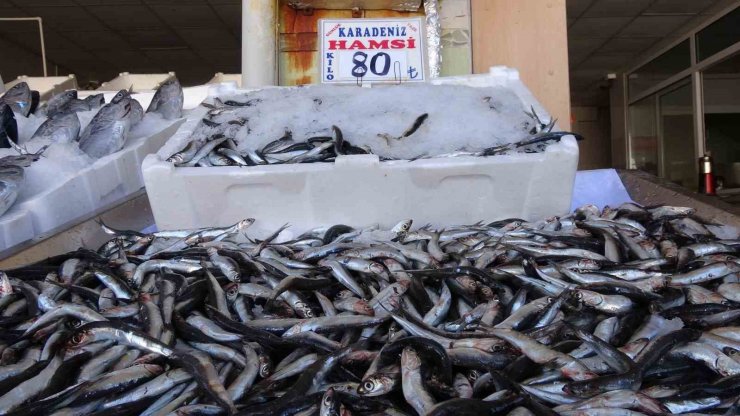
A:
220,145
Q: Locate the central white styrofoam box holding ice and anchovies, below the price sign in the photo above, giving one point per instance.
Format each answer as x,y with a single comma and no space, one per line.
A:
360,190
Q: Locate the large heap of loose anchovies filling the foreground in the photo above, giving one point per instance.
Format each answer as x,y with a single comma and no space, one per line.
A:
622,311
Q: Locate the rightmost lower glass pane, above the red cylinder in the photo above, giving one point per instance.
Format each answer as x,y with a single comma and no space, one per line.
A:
722,118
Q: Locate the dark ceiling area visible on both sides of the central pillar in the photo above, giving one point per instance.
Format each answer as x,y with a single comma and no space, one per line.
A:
97,39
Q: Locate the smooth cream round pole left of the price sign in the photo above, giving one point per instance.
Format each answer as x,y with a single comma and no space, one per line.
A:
259,39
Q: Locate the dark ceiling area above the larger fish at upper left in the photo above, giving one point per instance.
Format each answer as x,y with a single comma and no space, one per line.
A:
97,39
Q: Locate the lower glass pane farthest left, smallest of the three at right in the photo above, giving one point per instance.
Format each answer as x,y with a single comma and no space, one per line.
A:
644,135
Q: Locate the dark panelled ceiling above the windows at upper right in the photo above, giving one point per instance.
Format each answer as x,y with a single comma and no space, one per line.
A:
609,36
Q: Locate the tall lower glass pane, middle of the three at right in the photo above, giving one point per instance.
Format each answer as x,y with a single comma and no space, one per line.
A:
677,133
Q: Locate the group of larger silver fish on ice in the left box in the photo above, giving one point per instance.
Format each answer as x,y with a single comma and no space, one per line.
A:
105,134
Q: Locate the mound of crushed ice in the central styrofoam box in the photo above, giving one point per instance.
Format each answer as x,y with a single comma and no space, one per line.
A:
458,117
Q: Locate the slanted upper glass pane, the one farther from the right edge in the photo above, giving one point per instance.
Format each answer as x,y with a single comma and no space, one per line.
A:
661,68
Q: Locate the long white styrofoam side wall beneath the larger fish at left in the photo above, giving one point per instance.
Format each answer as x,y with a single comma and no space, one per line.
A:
109,179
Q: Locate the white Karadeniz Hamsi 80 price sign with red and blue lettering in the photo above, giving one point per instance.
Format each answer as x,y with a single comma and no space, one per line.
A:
372,50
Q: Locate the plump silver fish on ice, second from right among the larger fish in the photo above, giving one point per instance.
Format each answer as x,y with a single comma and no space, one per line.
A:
108,130
